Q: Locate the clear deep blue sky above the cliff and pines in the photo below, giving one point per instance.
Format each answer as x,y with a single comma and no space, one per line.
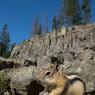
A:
20,14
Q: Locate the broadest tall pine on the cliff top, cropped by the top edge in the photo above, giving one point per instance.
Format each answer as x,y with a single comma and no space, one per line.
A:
70,12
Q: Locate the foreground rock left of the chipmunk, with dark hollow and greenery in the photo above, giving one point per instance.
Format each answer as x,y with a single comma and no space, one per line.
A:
20,81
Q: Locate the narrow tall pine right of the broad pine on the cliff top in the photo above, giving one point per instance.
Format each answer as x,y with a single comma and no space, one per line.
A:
86,11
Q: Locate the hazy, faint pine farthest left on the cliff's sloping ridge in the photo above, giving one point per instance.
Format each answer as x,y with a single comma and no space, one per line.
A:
37,29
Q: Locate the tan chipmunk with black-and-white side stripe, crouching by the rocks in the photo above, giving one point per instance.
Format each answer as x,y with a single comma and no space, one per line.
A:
62,84
